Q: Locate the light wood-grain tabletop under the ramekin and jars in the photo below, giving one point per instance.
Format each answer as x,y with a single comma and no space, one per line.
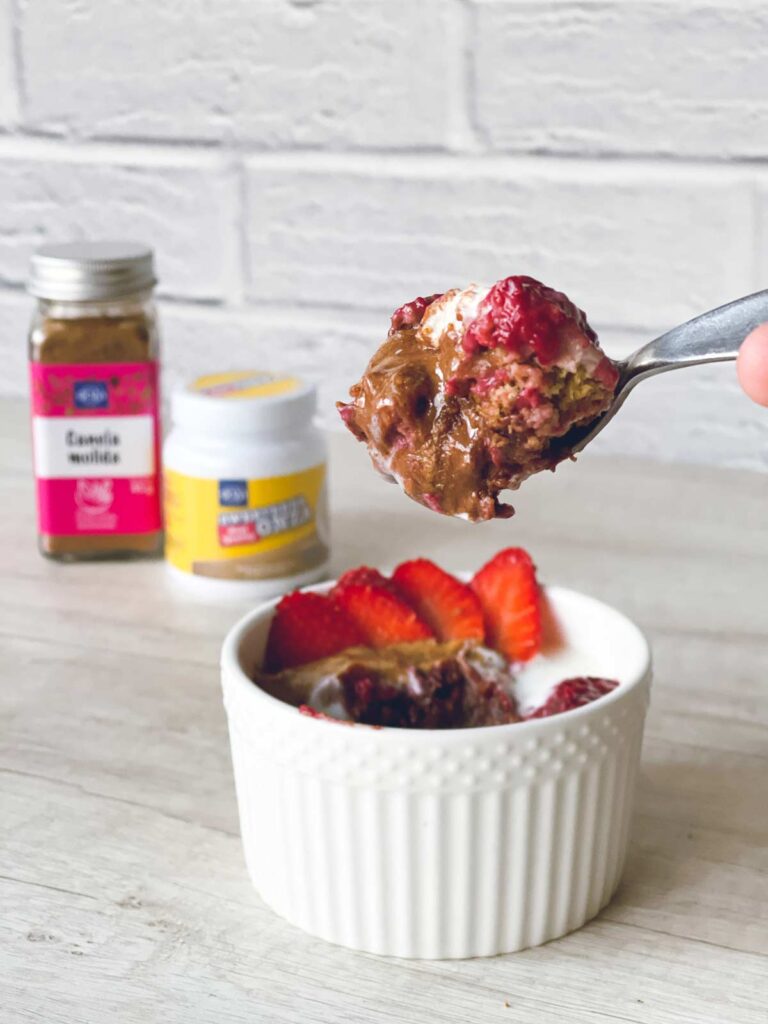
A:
124,897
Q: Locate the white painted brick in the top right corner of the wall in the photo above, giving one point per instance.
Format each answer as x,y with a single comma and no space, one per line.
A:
670,78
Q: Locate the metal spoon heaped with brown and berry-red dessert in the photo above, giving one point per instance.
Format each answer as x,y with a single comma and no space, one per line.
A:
479,389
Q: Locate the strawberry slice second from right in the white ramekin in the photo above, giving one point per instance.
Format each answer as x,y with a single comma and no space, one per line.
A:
450,608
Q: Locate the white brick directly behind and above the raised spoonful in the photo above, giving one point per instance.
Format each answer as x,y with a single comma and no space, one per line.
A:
633,245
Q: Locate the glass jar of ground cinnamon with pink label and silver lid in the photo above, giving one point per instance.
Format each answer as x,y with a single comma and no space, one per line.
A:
94,370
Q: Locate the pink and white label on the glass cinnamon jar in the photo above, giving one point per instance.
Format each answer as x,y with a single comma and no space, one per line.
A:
96,442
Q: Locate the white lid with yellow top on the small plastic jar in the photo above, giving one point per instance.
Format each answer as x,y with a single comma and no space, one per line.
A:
244,402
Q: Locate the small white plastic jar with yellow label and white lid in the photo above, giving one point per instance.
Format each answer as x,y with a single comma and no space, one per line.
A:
245,486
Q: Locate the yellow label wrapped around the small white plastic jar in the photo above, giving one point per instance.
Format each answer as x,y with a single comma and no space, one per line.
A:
247,530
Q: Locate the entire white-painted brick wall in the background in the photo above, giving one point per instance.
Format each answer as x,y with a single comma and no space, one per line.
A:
304,167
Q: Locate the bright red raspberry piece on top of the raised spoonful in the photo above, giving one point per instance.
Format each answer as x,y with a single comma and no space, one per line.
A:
521,314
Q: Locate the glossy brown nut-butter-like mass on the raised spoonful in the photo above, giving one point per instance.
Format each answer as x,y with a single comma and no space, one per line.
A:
449,449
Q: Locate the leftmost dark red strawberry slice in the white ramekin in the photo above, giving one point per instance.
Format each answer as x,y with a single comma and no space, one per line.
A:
306,628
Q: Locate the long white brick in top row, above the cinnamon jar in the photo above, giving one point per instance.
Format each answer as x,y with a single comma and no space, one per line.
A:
270,73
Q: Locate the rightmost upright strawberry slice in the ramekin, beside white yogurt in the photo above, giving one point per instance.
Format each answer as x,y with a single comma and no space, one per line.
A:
511,604
